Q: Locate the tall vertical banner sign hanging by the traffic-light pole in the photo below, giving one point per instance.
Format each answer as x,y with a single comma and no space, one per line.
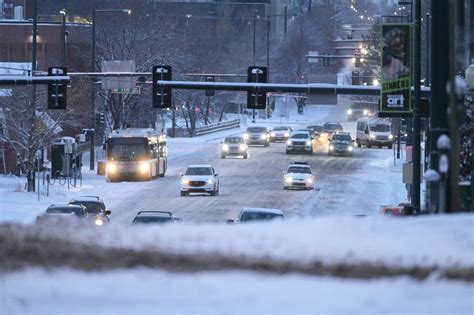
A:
396,71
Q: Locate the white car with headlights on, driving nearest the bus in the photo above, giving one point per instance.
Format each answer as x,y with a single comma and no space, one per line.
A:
200,179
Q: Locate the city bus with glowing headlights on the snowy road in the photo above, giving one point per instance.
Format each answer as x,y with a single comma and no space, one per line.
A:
135,154
